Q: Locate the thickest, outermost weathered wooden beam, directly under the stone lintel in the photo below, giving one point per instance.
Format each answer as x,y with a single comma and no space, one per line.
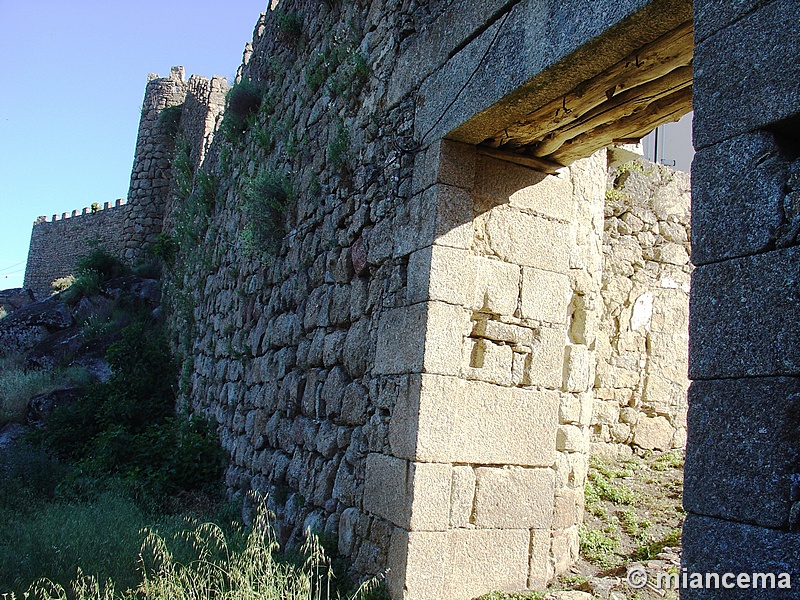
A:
651,62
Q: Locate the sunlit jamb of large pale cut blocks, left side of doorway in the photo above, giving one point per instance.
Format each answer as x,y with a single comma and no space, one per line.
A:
507,294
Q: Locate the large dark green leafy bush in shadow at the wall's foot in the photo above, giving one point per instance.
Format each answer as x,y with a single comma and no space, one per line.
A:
126,427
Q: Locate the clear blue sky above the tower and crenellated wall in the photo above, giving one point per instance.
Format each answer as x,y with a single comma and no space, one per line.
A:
73,78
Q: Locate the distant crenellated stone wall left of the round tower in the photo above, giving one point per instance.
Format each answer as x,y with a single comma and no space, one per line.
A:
57,243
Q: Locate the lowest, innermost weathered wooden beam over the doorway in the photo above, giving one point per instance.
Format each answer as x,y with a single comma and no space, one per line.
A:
669,108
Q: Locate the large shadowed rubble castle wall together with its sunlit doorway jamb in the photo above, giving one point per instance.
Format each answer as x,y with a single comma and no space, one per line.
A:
358,376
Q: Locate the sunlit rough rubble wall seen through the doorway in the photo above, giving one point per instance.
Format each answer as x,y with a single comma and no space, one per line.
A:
643,339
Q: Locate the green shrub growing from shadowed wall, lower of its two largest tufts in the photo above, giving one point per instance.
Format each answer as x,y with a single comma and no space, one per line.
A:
266,199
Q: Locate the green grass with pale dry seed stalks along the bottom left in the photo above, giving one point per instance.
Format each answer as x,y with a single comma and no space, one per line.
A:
177,560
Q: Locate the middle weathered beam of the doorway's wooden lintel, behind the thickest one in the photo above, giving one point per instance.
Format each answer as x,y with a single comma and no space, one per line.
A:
619,107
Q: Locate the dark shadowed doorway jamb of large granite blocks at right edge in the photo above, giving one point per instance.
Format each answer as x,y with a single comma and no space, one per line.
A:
743,454
